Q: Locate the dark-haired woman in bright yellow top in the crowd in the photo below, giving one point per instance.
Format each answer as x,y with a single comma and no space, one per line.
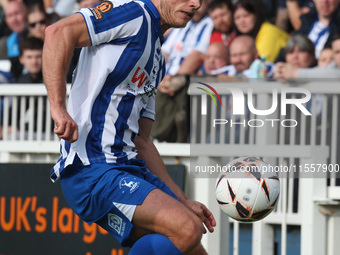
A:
269,39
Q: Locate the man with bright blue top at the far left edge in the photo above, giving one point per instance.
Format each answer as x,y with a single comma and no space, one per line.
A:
15,15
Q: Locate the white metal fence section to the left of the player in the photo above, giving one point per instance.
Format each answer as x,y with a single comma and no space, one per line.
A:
26,127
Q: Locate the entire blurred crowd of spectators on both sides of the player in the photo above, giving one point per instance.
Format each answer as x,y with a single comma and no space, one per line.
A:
293,38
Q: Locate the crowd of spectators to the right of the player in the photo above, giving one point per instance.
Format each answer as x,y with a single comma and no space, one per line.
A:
292,39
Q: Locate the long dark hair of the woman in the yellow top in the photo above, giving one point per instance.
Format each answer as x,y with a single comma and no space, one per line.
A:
254,8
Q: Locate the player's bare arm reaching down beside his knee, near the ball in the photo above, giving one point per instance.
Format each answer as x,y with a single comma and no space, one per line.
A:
149,153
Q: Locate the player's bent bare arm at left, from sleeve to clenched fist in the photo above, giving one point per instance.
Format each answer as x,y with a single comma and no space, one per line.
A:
70,32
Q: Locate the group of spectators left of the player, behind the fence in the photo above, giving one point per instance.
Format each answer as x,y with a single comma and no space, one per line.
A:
22,33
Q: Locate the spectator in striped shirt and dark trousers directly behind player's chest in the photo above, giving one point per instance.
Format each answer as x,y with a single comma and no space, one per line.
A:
184,49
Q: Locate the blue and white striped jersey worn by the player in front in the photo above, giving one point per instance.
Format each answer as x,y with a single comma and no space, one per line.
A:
115,82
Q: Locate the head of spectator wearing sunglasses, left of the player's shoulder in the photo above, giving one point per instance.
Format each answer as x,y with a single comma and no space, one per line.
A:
37,20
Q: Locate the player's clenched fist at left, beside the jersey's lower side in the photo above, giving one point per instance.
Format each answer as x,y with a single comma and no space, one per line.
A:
66,128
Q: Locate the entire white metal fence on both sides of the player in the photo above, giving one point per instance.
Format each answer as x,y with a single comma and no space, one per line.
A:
27,137
